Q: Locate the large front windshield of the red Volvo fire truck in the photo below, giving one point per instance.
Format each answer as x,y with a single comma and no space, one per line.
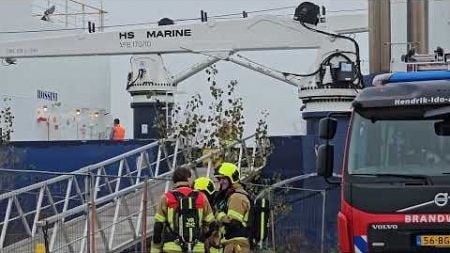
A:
397,146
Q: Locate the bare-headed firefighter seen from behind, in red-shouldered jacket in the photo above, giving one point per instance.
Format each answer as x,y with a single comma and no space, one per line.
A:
181,217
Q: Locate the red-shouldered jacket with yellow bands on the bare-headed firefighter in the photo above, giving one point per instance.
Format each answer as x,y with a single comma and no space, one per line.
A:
163,237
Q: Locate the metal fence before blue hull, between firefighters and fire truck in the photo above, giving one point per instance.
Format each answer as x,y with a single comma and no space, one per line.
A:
299,219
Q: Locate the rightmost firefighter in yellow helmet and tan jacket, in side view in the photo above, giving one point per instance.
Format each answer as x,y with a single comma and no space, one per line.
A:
233,209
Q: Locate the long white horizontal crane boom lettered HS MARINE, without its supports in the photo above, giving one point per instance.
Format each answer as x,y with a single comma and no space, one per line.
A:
245,34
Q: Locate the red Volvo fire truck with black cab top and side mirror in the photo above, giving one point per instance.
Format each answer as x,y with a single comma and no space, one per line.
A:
395,185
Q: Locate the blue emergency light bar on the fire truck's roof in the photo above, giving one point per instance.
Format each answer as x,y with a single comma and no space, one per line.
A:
400,77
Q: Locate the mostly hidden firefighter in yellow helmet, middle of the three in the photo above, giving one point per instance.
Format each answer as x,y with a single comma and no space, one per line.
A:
212,240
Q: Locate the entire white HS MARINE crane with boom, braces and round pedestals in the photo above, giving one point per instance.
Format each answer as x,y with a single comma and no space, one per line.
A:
333,81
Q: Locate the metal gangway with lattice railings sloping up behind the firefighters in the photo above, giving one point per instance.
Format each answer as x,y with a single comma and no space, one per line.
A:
108,206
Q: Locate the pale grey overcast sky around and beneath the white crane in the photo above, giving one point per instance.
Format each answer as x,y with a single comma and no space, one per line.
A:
259,92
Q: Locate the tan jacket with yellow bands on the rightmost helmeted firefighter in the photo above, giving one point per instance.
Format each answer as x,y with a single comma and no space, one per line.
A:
234,216
